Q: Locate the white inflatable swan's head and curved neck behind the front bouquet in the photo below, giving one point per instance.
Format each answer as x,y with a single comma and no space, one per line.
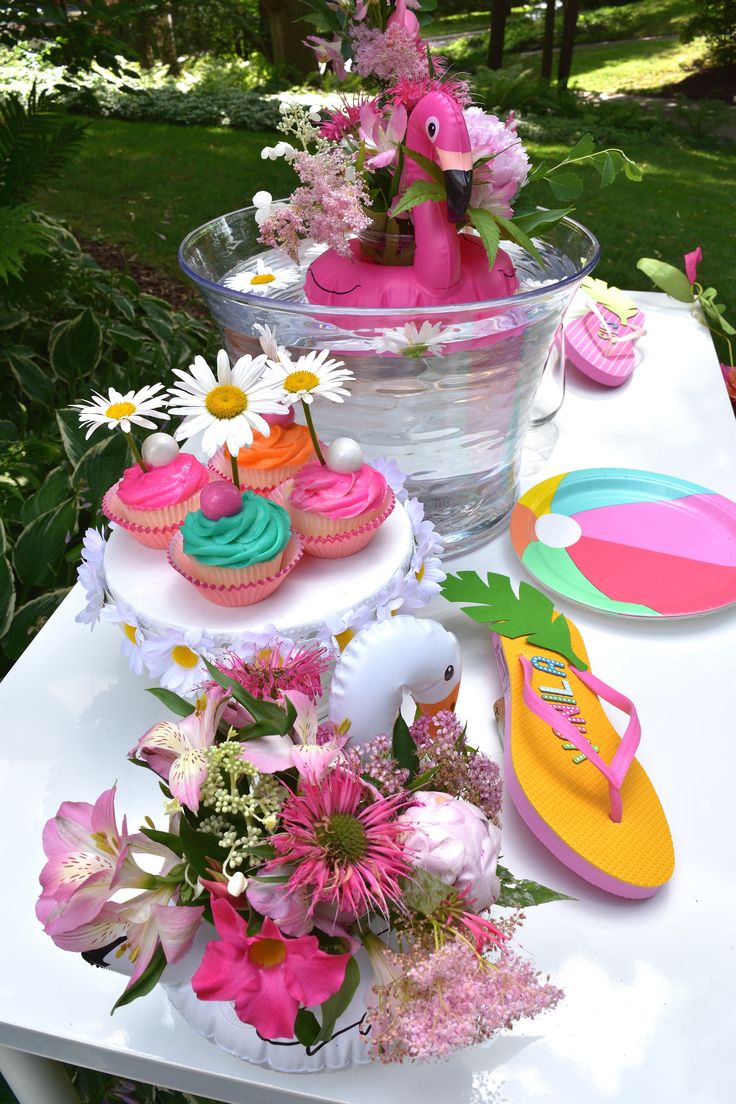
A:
385,662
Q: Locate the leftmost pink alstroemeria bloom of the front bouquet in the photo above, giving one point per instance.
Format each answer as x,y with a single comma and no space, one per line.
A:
89,859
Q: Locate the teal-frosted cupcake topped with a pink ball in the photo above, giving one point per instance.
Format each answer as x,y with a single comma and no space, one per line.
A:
238,548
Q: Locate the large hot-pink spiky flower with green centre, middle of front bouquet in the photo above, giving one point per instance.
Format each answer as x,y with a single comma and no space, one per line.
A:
346,844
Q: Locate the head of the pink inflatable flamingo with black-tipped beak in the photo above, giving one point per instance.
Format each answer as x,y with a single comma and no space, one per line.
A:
438,130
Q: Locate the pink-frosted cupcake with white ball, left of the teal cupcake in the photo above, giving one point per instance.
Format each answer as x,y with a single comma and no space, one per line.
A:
152,505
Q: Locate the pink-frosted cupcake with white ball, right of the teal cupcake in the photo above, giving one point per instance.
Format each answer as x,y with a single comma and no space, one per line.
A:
337,507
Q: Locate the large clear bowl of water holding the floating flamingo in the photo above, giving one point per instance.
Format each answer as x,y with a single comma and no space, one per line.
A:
451,411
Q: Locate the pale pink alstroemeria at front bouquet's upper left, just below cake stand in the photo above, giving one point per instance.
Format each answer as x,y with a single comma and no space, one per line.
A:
177,751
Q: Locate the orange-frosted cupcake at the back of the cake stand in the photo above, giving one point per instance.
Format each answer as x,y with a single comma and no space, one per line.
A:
270,461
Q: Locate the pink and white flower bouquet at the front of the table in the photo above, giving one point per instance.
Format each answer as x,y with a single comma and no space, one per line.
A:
301,854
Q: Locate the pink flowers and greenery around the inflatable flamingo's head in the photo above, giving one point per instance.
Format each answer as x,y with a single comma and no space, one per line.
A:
358,171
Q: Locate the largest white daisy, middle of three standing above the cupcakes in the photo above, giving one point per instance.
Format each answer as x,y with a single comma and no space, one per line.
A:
228,408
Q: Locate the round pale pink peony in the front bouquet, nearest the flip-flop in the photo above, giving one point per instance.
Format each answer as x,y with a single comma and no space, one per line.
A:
454,841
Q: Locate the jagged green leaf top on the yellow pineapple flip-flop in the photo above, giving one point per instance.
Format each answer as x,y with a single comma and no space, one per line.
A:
531,614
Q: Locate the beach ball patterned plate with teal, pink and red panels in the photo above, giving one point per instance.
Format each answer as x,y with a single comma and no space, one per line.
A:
630,543
